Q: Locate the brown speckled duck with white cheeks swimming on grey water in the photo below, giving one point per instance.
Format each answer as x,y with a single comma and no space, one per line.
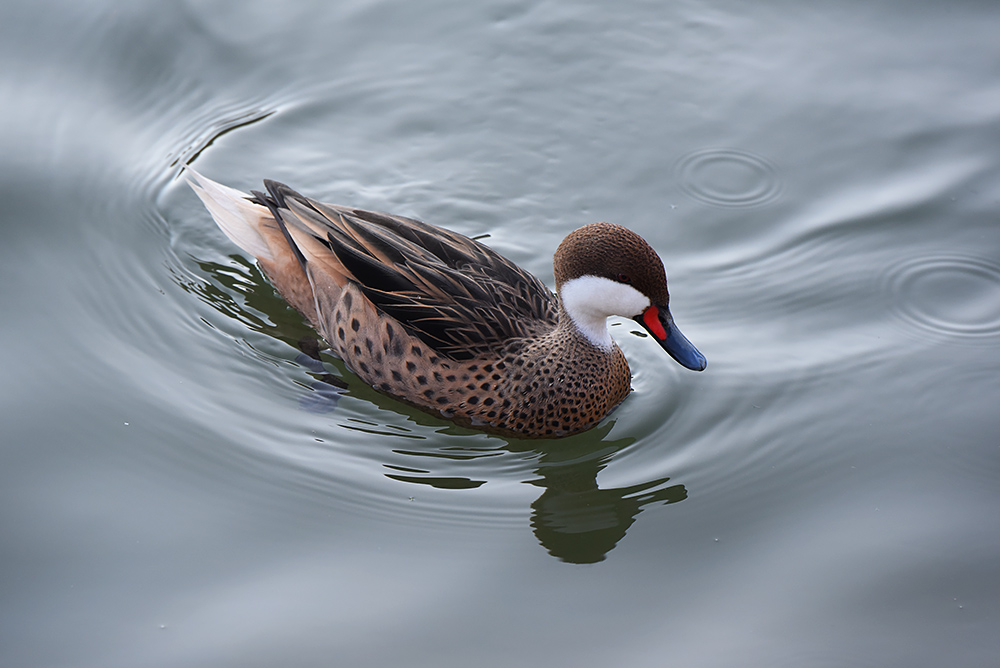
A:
446,324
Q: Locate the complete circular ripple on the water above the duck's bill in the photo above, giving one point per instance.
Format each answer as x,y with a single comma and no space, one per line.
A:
728,177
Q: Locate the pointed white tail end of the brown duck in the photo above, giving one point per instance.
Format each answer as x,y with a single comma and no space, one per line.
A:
234,215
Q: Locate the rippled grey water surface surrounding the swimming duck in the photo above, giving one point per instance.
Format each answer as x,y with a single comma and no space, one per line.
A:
179,487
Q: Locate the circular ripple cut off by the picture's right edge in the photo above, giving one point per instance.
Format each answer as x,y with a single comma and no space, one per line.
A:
955,296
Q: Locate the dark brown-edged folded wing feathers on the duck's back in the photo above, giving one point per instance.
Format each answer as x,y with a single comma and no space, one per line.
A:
458,296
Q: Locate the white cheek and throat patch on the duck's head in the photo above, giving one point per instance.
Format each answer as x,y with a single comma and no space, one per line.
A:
590,300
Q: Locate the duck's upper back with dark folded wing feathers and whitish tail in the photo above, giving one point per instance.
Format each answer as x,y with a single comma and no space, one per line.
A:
458,296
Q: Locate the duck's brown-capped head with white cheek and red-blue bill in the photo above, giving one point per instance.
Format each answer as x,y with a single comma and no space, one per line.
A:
605,269
